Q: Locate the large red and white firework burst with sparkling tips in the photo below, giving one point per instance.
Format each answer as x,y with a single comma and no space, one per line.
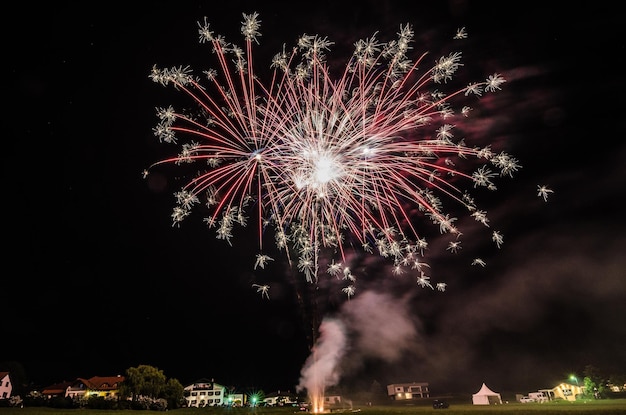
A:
322,163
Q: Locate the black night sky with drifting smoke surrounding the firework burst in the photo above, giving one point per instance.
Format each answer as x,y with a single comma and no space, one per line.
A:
98,280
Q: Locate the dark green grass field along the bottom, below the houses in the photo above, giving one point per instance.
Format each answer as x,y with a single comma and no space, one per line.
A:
601,407
